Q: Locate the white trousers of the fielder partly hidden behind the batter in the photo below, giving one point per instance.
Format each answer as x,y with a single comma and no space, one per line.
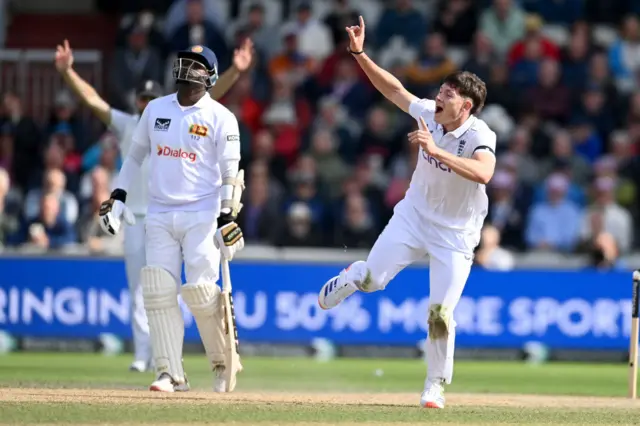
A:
134,261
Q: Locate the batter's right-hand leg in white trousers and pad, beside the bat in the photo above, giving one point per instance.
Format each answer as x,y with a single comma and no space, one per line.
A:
202,296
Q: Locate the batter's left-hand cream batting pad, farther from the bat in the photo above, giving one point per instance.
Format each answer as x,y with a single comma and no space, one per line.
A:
166,325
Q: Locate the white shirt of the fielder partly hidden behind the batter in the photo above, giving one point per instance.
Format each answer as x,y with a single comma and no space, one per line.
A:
123,126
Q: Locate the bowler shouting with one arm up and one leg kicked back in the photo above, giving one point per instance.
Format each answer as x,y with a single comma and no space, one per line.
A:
441,214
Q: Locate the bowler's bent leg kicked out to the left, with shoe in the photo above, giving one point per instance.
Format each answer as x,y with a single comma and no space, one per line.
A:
396,248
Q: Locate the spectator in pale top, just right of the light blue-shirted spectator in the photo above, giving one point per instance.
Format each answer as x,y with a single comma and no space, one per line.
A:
605,215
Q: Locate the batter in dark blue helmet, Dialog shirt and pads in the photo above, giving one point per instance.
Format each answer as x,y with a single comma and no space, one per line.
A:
193,145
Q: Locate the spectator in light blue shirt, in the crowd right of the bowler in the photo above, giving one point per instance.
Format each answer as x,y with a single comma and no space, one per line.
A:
554,224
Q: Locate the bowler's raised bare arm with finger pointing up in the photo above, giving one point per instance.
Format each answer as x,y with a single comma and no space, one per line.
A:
384,81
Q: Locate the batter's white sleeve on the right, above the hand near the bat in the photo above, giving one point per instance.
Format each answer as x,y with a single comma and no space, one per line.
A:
228,147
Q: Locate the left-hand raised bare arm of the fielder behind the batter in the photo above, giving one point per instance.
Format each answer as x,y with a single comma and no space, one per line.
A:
82,89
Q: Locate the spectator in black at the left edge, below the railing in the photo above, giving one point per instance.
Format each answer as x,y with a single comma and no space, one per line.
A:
26,138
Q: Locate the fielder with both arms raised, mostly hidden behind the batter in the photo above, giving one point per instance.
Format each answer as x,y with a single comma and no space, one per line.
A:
122,124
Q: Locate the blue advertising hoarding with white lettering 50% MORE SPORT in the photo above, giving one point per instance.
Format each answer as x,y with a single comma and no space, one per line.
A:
277,303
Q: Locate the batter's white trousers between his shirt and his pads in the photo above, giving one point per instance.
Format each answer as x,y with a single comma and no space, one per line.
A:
174,237
